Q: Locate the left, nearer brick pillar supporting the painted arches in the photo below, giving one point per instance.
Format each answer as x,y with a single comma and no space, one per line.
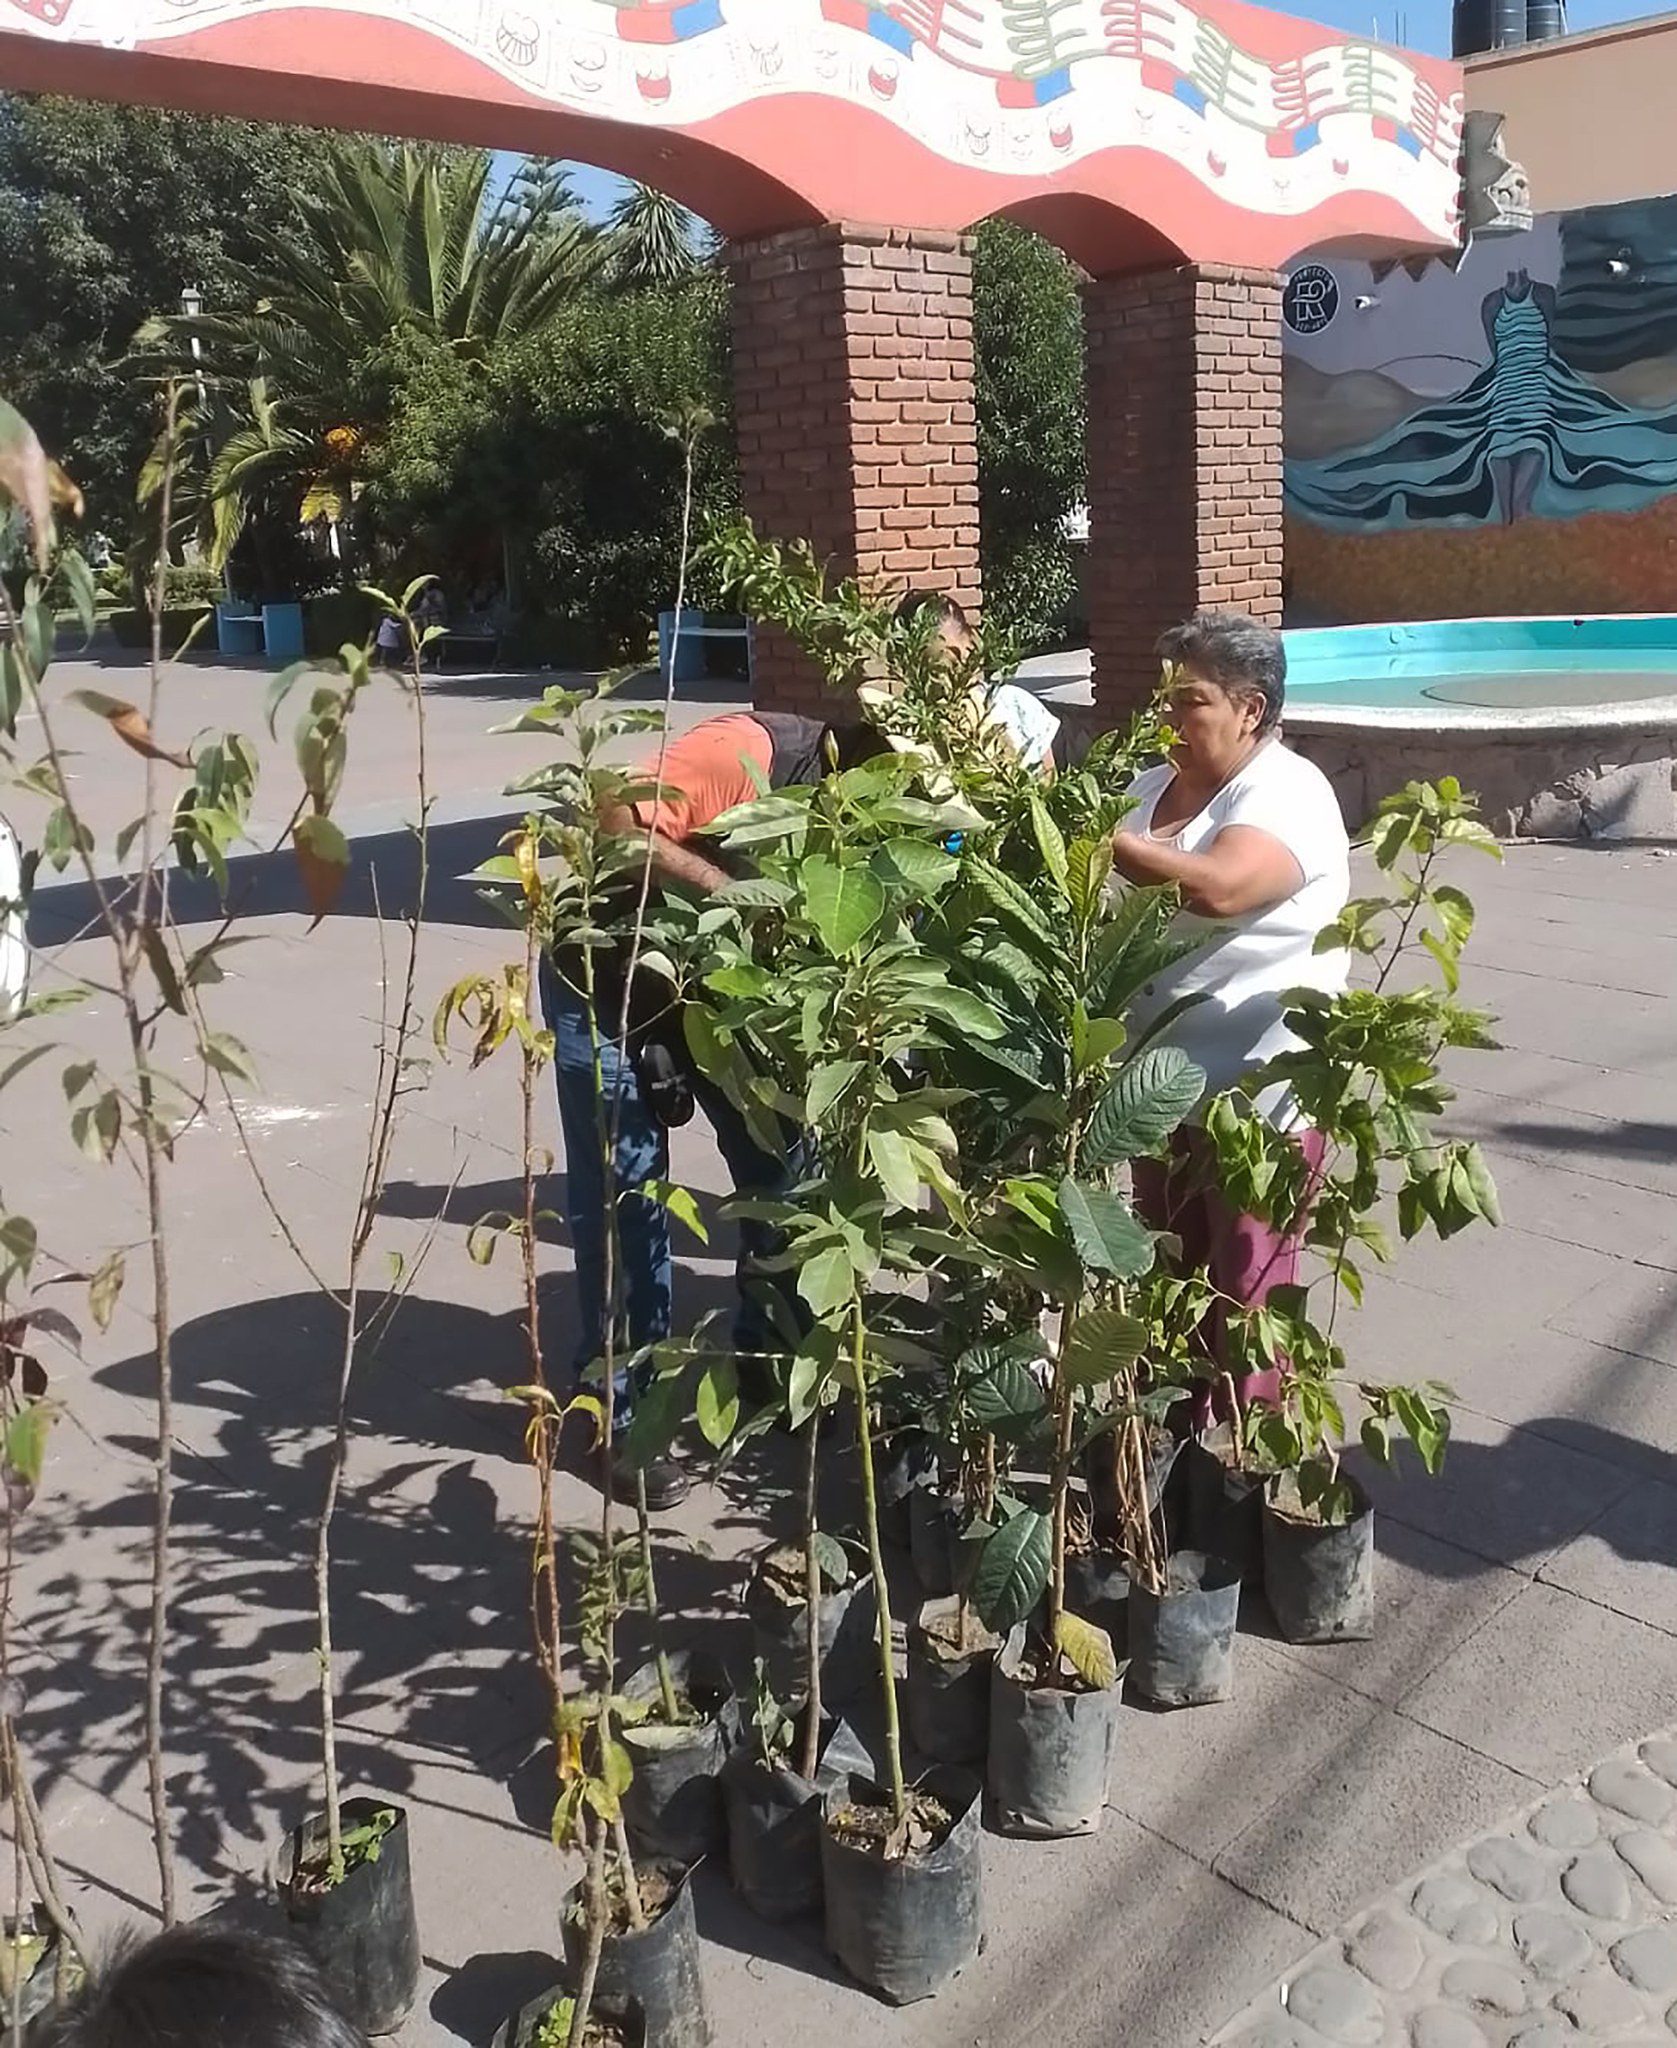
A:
853,378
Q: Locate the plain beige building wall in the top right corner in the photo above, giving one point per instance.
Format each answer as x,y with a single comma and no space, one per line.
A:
1592,118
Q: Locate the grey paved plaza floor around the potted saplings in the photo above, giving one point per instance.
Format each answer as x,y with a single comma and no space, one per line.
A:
1529,1605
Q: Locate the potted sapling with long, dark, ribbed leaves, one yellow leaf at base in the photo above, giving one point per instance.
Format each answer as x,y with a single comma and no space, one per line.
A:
1060,1226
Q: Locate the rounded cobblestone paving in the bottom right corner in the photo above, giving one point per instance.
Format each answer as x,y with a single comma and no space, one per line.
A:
1555,1932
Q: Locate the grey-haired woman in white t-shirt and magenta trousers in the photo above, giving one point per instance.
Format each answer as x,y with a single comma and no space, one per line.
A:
1254,839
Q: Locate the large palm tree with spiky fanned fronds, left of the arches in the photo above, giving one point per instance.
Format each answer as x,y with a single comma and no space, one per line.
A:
400,249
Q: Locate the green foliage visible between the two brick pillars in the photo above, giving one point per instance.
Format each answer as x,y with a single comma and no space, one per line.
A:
1033,427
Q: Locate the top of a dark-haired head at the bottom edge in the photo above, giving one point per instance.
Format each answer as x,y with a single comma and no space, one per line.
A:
204,1988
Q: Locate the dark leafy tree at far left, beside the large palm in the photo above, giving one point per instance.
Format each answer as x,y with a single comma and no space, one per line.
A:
105,216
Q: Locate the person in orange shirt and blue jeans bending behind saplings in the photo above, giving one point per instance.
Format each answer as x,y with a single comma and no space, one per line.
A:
705,773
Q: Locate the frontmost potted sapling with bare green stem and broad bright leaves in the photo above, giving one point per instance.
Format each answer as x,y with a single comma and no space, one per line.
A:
822,988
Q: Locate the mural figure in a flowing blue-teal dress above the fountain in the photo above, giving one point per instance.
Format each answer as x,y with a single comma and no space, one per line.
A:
1526,437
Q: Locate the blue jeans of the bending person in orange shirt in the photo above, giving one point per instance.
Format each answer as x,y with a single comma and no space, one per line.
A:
644,1154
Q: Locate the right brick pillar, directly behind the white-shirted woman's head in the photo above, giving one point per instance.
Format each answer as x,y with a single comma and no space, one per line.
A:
1185,462
